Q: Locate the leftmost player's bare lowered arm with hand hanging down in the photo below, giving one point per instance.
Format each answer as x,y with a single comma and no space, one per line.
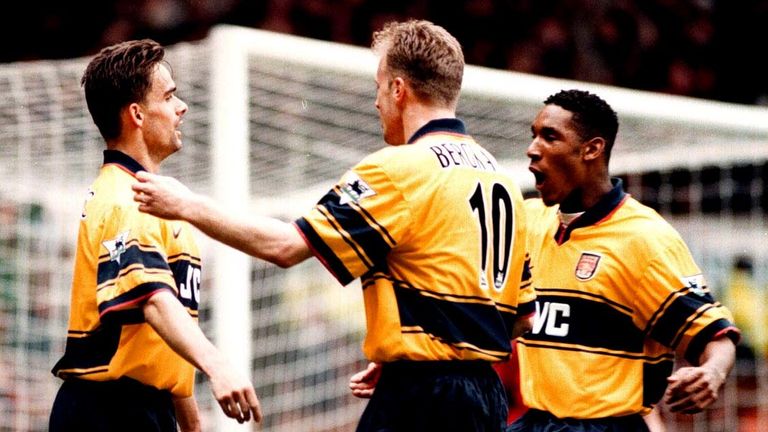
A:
171,321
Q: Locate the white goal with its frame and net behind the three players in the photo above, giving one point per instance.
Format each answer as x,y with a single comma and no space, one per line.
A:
273,122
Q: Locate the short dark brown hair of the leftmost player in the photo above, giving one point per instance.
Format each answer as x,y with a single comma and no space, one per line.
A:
119,75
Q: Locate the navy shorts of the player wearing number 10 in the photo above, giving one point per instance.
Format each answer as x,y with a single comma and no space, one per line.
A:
444,396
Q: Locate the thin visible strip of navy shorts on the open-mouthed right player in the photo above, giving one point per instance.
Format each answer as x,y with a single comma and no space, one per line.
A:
541,421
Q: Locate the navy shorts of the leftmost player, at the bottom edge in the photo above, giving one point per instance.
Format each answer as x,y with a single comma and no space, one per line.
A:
111,406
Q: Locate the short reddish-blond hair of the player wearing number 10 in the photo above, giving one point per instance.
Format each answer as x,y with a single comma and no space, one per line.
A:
426,55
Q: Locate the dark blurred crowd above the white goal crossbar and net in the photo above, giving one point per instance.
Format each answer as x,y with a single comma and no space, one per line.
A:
709,49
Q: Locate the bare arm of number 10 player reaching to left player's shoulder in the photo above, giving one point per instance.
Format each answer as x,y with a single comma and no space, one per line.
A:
262,237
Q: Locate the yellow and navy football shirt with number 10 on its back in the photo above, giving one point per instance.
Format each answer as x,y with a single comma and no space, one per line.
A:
436,232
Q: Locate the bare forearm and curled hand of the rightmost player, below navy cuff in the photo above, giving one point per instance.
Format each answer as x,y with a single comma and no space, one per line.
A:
692,389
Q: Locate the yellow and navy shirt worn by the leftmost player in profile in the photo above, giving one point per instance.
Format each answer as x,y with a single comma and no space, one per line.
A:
123,257
